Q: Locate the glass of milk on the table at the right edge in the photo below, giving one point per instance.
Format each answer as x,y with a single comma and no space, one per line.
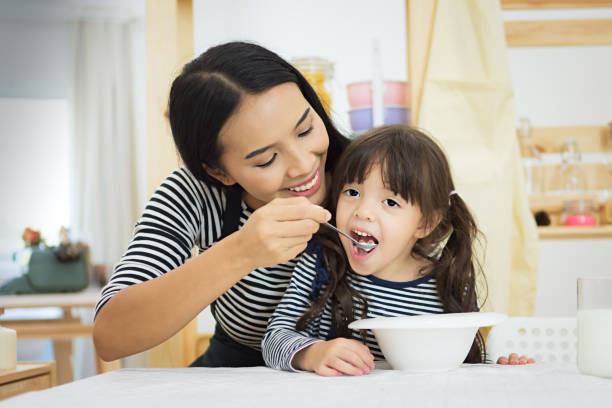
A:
595,326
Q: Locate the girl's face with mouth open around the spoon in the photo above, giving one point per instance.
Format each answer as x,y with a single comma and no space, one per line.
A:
371,213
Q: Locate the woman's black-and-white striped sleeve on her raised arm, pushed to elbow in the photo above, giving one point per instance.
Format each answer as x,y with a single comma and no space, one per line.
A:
181,213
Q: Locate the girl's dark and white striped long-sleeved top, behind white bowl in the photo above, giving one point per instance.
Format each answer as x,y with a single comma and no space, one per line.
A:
385,298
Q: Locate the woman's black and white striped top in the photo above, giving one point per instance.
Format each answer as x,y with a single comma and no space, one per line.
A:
185,212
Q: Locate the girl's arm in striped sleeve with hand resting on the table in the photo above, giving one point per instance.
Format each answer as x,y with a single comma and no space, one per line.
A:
285,348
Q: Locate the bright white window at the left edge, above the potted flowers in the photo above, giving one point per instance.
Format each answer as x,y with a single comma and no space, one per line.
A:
34,163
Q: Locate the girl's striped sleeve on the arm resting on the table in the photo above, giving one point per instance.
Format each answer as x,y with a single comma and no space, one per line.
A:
282,341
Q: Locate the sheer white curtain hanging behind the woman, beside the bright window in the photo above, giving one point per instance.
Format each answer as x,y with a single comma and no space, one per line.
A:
105,186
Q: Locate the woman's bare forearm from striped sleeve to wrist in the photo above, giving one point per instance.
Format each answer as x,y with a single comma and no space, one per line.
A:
144,315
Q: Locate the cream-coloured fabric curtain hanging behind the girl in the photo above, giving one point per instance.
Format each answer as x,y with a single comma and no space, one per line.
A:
468,103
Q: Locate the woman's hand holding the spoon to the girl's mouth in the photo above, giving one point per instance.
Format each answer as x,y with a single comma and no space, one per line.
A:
280,230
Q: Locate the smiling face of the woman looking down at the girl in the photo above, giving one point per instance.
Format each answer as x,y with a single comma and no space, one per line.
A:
275,145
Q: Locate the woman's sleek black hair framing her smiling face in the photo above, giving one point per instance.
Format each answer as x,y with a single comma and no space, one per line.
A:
210,88
